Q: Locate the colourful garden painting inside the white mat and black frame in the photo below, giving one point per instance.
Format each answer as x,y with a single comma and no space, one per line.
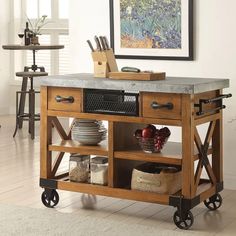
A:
150,24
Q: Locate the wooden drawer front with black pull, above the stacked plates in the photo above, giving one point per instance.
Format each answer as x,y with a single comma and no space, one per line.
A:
64,99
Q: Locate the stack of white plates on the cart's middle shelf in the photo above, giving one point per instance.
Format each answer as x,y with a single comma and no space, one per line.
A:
88,132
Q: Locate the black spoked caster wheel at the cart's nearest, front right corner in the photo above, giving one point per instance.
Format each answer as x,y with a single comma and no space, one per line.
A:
184,222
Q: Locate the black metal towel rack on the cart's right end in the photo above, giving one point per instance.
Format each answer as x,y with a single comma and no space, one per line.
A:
212,100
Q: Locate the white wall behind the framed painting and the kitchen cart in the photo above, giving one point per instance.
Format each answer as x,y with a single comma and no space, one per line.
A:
215,55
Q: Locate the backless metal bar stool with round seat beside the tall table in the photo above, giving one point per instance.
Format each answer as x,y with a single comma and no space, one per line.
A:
30,115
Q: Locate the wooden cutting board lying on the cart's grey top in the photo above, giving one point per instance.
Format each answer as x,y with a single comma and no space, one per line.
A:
137,76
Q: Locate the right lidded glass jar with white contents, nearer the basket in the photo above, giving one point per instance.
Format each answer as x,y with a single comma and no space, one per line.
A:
99,170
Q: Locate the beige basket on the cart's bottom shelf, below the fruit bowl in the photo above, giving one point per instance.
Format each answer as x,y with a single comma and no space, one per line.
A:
166,182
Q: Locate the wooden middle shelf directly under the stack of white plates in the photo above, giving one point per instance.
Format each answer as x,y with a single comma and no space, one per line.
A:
72,146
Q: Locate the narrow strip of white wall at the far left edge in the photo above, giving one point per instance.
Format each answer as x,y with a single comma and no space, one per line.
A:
4,57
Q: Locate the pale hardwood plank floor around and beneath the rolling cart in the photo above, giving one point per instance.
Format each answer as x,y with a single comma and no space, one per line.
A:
19,168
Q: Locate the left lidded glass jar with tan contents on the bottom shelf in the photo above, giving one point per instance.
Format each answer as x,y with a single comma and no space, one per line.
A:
79,168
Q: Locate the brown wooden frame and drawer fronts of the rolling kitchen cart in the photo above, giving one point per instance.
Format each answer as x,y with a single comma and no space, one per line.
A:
122,148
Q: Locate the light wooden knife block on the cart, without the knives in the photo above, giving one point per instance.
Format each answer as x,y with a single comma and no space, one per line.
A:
104,62
